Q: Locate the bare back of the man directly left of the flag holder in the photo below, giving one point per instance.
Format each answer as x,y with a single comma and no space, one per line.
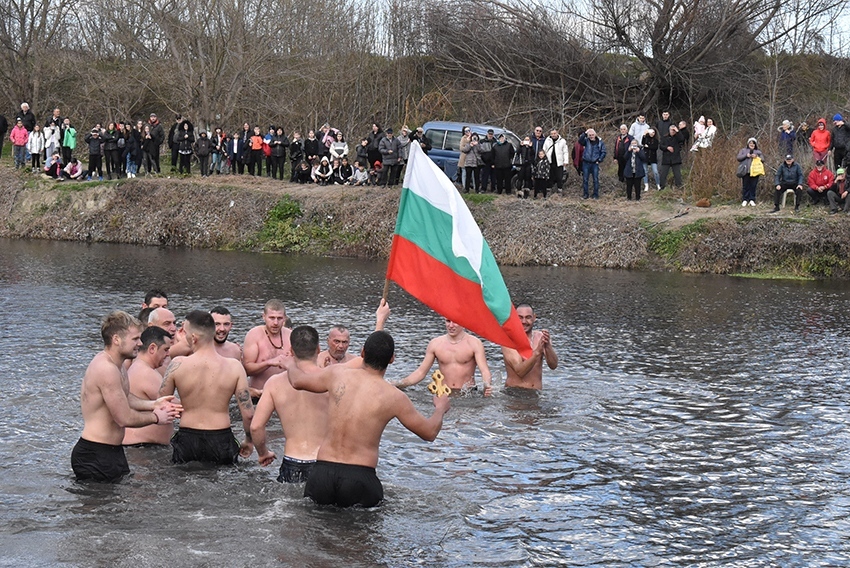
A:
303,417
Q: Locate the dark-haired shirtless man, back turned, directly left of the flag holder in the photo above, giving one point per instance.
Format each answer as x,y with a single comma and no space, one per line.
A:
303,415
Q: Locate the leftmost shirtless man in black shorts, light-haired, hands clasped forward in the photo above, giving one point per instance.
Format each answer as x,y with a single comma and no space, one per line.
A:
108,406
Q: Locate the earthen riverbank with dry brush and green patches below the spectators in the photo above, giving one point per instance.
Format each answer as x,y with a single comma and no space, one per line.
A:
661,232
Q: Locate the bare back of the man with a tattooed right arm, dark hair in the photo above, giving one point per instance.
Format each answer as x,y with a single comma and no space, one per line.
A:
206,382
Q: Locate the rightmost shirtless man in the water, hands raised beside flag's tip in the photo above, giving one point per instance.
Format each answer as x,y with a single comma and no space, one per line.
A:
528,373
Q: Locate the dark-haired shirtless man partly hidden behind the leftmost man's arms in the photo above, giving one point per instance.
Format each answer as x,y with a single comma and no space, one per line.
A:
145,382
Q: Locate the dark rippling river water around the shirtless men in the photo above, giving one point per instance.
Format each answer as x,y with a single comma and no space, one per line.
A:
693,421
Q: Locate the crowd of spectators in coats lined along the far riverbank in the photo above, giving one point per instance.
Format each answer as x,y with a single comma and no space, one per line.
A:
645,155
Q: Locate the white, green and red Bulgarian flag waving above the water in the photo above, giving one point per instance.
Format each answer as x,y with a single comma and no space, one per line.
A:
440,257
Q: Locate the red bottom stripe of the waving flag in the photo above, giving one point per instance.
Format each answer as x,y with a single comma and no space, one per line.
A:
452,296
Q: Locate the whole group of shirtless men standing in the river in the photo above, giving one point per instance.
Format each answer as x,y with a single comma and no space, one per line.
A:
333,406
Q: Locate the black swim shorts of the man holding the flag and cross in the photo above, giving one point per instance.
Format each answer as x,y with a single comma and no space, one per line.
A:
343,485
